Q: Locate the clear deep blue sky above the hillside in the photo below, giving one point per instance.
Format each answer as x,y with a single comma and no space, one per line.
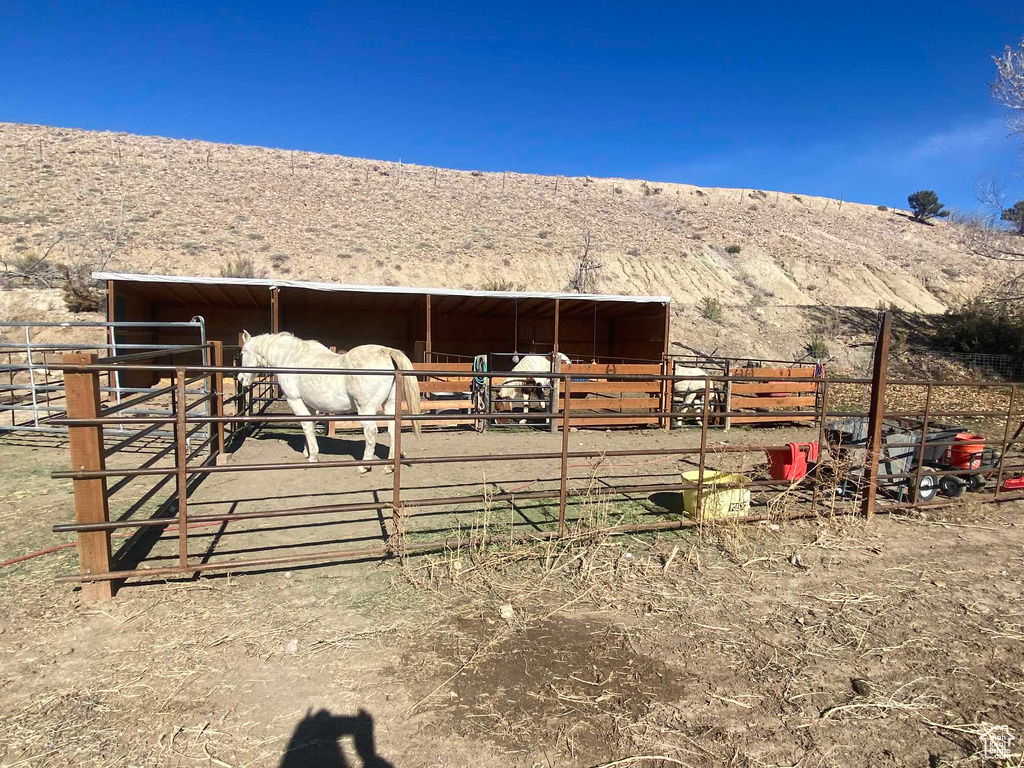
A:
867,100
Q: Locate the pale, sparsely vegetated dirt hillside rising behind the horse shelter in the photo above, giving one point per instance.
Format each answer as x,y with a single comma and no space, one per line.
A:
191,207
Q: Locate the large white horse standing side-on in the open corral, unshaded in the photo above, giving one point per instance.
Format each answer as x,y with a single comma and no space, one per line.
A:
337,394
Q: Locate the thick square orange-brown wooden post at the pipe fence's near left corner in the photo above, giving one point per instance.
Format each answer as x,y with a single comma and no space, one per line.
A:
82,394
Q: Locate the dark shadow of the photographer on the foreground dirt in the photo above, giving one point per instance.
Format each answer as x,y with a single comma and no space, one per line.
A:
315,743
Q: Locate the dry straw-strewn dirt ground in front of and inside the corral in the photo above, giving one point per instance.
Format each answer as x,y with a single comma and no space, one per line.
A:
825,643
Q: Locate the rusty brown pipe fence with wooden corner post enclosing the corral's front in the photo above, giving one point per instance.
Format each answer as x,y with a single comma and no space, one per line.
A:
88,419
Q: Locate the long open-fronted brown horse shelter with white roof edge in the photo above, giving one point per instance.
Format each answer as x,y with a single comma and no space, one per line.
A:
429,324
